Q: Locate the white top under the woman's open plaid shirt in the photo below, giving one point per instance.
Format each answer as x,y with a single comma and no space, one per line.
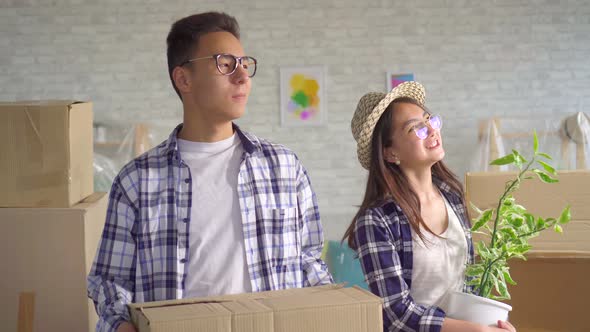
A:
439,263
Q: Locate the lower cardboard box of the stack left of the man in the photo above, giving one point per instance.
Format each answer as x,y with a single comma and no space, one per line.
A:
49,252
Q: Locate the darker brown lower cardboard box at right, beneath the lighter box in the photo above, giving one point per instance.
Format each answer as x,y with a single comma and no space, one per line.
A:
552,292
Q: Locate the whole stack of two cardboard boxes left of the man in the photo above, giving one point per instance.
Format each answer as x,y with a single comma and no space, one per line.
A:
50,219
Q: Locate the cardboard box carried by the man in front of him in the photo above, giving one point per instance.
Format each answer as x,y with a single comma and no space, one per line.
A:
326,308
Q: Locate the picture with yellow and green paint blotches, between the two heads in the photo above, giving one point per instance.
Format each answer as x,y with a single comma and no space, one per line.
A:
303,96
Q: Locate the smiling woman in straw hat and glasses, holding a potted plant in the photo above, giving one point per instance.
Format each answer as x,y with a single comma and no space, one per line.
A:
412,231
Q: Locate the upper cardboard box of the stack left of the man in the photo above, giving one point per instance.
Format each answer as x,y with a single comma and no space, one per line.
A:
47,153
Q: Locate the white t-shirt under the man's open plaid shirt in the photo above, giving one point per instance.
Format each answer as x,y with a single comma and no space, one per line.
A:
216,255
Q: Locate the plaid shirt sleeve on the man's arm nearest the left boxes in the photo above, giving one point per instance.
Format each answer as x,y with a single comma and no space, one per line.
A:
111,279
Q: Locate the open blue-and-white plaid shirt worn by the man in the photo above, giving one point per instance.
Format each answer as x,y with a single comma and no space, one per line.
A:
142,252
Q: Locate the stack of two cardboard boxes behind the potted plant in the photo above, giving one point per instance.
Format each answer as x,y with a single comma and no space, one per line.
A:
552,290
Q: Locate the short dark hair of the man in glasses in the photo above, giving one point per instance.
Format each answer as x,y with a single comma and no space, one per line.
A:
183,38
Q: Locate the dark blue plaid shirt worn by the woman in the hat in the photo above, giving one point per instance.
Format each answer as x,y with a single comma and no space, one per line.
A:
383,236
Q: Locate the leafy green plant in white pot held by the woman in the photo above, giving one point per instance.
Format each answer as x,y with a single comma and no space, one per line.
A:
507,229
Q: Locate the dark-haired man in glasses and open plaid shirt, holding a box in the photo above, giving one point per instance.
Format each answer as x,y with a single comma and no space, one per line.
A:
213,209
